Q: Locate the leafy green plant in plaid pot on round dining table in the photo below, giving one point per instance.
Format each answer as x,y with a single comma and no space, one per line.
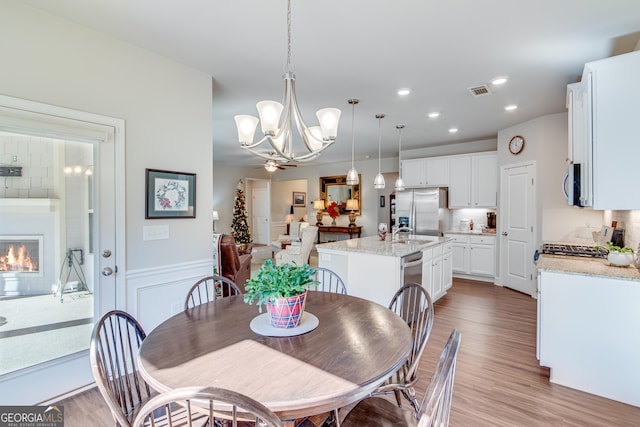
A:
283,289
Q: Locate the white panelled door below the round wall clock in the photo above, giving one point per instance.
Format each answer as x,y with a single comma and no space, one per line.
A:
515,227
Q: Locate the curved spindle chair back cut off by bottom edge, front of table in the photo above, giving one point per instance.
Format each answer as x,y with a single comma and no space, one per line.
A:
206,406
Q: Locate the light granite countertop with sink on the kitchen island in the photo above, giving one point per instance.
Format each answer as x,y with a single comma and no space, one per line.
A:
406,245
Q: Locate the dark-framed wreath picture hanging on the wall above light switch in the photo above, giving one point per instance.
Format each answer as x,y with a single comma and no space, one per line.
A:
169,194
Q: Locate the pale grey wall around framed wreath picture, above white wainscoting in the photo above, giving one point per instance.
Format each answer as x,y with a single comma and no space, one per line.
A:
166,106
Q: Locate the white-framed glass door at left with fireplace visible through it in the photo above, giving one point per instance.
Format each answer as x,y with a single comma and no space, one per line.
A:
69,161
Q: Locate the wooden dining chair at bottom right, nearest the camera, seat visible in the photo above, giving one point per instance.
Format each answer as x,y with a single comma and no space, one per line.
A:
433,410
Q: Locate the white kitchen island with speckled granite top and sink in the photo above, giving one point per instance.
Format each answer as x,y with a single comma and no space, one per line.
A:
372,268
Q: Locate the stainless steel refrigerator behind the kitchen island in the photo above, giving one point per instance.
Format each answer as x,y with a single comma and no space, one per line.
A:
421,210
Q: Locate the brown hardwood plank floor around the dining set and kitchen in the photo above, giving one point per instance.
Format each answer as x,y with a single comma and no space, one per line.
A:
498,380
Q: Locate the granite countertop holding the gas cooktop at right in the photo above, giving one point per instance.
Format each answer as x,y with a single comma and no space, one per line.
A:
586,266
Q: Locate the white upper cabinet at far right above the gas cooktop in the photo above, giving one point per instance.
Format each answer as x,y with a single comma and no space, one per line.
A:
604,131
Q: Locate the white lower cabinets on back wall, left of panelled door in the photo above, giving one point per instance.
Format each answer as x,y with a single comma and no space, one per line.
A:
473,256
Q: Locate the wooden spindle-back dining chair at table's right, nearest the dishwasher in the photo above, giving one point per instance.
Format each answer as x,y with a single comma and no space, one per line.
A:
413,304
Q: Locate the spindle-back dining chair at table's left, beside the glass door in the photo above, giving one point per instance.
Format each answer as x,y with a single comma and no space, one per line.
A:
115,341
